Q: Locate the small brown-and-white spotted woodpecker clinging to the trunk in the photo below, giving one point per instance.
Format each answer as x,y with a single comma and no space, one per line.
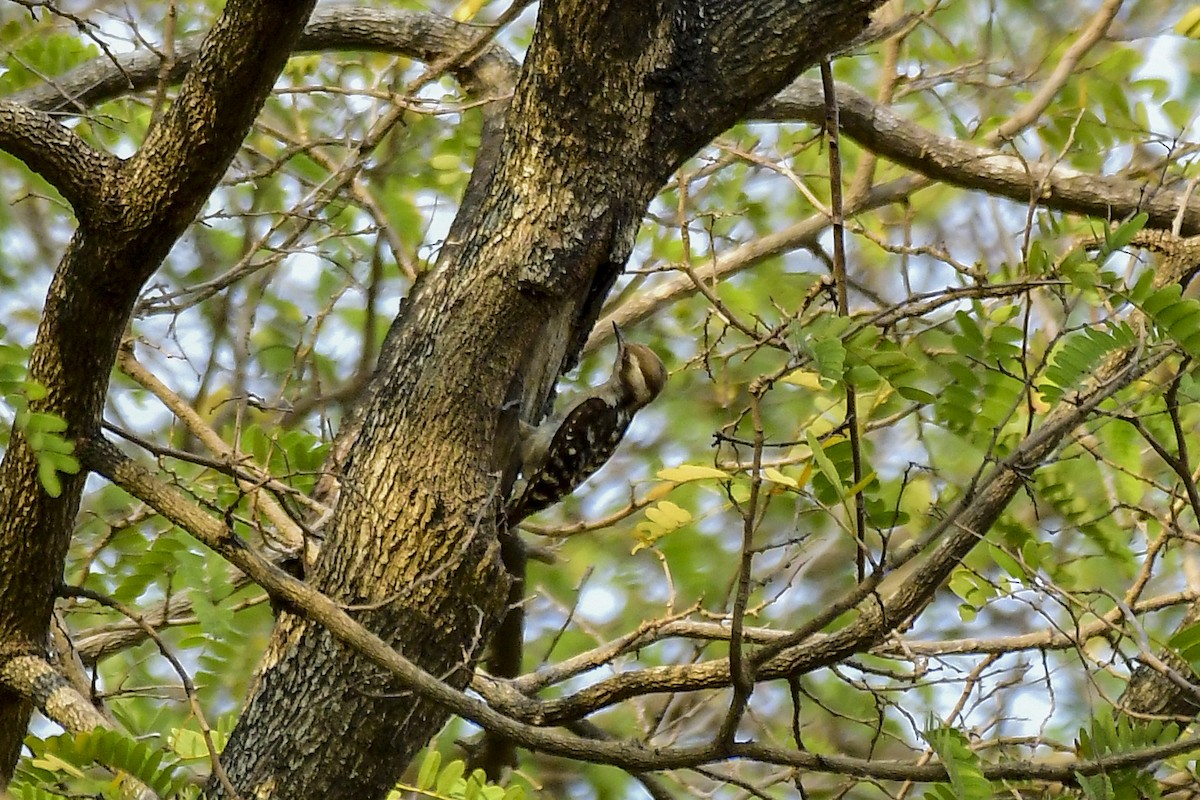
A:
566,450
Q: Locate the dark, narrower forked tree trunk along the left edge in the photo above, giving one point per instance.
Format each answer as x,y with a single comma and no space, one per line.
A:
130,214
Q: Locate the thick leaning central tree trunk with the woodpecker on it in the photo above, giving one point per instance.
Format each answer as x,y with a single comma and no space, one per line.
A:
613,97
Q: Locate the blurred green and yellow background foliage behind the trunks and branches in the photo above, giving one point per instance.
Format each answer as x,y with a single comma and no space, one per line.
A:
268,316
